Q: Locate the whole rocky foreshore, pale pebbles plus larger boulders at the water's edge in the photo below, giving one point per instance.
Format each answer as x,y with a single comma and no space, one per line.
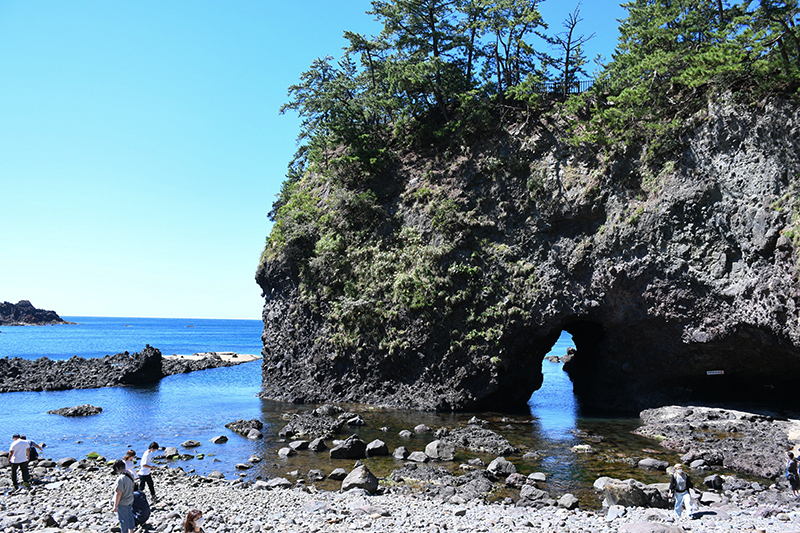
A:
426,490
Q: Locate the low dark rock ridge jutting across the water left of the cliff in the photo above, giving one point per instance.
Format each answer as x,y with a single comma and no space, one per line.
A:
138,368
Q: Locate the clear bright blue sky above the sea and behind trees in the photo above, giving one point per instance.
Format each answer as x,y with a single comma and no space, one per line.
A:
141,146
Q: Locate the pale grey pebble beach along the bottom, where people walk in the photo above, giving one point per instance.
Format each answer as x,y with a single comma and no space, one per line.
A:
80,500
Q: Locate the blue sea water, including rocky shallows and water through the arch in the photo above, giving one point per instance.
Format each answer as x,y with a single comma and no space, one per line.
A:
196,406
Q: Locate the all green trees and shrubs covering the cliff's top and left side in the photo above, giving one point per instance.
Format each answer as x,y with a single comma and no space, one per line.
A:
373,216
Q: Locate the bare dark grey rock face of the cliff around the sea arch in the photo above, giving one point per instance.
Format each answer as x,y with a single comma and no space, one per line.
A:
678,285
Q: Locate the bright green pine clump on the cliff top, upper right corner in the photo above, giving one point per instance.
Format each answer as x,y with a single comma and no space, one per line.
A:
672,55
